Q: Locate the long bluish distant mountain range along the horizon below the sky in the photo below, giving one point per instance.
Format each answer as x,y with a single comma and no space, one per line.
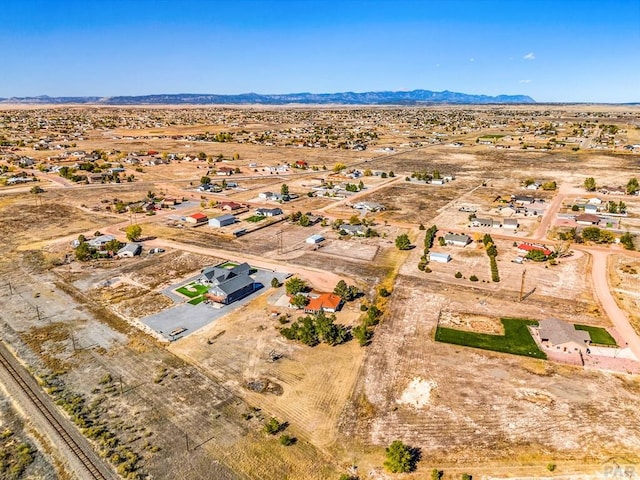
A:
415,97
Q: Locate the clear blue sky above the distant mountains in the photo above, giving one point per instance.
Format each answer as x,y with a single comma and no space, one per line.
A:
552,50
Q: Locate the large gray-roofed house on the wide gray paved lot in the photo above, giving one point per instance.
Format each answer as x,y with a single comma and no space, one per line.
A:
228,284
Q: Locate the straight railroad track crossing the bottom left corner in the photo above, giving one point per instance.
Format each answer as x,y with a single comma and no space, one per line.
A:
93,469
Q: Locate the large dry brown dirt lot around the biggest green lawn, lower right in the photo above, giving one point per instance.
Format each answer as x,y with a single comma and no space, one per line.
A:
483,407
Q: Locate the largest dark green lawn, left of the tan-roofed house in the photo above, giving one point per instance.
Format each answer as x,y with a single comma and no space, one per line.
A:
516,340
